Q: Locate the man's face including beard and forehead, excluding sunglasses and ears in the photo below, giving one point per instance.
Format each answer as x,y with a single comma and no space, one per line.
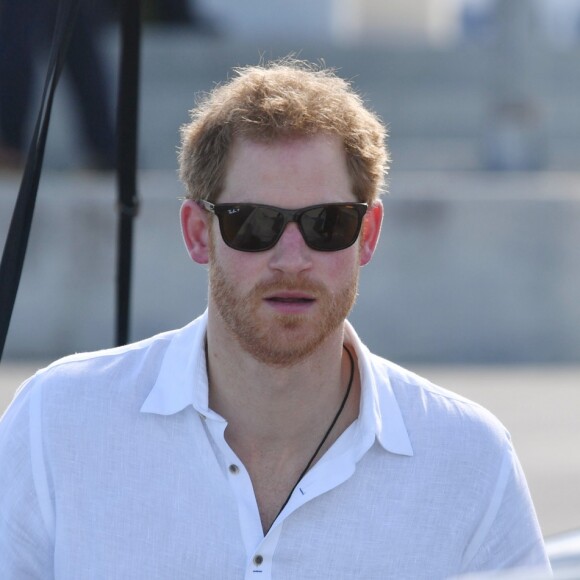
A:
281,304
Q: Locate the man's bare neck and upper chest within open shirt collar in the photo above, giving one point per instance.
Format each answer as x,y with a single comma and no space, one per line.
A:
277,416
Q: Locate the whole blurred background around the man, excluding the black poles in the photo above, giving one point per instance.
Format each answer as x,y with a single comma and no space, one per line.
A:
476,282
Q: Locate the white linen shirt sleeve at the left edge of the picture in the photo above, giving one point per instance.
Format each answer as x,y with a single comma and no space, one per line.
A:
25,543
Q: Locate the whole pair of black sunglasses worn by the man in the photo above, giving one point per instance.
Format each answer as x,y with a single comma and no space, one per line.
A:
252,227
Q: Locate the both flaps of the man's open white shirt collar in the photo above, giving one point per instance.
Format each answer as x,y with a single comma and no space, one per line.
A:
182,381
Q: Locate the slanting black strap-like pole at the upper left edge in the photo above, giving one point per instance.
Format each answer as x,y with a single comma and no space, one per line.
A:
19,231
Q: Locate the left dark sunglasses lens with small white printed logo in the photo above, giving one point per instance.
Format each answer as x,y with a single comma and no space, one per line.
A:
250,228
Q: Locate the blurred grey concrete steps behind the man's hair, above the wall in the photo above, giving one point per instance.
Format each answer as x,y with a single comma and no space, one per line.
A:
439,104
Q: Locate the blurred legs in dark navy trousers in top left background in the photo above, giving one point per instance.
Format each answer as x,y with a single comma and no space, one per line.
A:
26,26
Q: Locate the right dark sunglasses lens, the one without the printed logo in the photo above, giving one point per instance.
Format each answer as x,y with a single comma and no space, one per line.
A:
331,228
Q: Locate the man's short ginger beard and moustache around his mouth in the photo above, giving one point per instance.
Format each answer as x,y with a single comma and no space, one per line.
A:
273,338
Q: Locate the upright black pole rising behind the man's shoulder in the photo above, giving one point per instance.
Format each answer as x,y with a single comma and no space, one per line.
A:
127,121
